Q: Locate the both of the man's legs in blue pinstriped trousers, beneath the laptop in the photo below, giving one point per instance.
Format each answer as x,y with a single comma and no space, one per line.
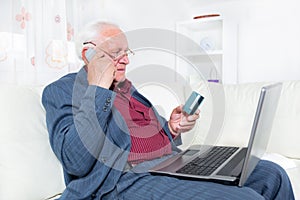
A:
265,179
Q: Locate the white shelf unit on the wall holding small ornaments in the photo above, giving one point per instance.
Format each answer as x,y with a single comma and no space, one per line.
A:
211,45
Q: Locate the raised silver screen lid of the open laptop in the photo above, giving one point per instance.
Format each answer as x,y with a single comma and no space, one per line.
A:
261,129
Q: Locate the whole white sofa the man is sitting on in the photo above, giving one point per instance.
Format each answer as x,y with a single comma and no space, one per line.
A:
30,171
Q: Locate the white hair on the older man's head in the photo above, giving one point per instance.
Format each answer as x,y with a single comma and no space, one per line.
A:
89,33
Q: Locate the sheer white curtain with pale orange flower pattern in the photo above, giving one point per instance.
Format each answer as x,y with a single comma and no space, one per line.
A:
37,38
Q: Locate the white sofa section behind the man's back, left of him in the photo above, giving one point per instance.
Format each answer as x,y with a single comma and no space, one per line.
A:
28,167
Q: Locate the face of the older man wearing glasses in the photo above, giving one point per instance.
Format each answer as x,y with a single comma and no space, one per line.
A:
114,43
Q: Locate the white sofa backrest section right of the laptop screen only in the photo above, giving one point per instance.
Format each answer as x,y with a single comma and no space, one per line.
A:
286,128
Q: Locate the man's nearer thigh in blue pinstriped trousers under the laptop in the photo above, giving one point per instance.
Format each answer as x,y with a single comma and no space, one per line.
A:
162,187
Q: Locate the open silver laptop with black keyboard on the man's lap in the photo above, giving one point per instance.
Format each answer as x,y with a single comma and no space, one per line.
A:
225,164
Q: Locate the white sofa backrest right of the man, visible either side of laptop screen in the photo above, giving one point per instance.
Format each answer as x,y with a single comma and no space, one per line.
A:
240,106
